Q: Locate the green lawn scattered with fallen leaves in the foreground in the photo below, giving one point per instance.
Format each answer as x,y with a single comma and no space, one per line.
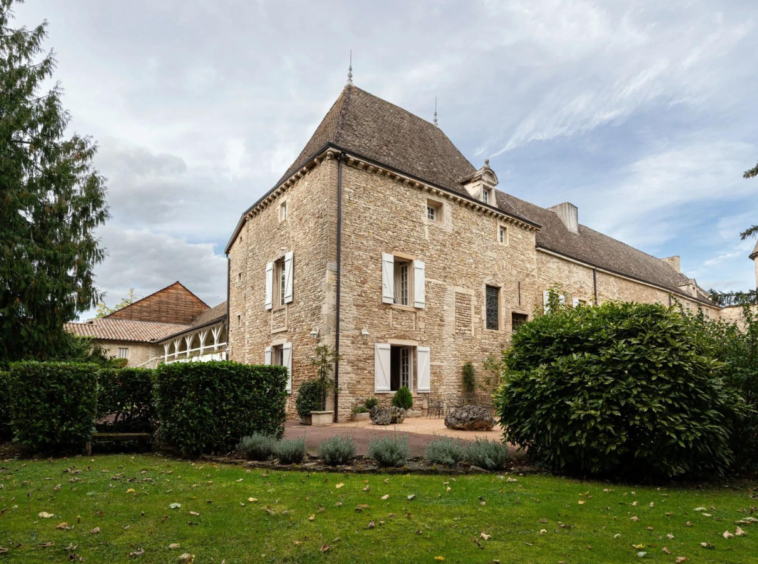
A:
296,514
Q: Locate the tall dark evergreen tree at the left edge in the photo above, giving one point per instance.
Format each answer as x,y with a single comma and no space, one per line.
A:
51,201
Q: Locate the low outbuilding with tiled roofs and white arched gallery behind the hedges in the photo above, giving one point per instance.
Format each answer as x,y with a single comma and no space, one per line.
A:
169,325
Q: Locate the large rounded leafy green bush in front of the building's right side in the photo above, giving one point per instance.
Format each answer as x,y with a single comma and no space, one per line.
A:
617,388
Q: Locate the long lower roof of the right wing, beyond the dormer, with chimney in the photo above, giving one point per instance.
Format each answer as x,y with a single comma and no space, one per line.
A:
594,248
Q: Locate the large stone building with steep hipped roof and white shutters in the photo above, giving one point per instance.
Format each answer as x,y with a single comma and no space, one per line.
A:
384,242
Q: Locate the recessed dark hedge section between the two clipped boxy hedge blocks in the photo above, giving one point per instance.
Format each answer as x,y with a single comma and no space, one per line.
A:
126,400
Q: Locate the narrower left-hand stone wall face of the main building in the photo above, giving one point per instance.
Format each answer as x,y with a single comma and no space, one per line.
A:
309,232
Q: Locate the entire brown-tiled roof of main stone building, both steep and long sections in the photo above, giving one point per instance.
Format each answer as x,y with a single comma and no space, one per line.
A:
387,134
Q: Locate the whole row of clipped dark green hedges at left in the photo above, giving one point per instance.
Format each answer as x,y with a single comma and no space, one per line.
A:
199,407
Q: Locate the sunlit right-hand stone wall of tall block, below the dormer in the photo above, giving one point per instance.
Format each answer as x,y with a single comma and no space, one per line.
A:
461,254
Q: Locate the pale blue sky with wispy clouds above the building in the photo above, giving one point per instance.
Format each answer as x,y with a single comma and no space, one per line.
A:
640,113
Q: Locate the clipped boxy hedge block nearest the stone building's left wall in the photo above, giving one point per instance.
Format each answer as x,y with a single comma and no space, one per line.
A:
210,406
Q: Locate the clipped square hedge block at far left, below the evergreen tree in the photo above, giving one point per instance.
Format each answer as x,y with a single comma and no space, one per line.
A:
53,404
